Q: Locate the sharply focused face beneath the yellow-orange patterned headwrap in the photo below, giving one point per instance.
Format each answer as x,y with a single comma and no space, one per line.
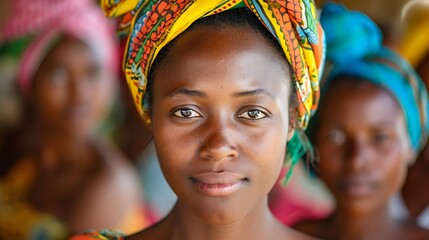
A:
220,121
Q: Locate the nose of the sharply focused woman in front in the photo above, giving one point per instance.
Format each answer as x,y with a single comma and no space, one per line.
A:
218,145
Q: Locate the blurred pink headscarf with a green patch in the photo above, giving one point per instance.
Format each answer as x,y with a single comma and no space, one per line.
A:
34,26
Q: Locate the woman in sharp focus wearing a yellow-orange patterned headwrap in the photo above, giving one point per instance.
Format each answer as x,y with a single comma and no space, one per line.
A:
223,99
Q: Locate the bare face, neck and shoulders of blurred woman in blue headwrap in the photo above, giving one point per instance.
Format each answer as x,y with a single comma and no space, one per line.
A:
364,153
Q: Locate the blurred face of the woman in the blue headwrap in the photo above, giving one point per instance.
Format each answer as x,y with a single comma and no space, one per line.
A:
363,145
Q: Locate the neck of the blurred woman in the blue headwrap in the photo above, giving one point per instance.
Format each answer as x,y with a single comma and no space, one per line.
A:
376,224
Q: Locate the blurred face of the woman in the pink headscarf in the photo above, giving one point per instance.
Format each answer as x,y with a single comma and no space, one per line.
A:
71,91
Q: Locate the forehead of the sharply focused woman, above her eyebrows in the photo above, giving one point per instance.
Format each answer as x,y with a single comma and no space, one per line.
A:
241,56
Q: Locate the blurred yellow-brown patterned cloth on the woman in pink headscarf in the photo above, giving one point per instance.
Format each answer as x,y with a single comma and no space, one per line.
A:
18,218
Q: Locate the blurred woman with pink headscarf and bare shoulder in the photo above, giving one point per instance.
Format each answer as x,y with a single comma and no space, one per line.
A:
59,179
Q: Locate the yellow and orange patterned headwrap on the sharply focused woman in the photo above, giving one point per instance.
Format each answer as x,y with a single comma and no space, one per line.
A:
152,24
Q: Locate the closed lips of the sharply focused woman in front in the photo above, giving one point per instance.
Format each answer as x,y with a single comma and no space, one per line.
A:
217,184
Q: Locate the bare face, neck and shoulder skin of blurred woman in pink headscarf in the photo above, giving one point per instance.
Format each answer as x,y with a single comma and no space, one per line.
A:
75,171
